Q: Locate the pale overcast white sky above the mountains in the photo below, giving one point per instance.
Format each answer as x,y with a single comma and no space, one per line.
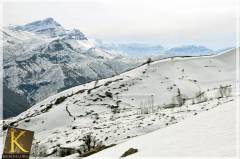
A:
167,22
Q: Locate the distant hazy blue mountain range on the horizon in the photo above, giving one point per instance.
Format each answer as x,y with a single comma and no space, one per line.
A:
151,50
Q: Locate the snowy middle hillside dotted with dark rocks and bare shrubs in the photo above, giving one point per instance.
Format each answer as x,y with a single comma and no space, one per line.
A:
150,97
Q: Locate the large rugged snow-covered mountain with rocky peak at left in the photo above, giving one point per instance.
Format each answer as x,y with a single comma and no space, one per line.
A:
43,58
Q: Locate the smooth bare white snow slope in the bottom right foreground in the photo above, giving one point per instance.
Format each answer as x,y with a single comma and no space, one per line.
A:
210,134
